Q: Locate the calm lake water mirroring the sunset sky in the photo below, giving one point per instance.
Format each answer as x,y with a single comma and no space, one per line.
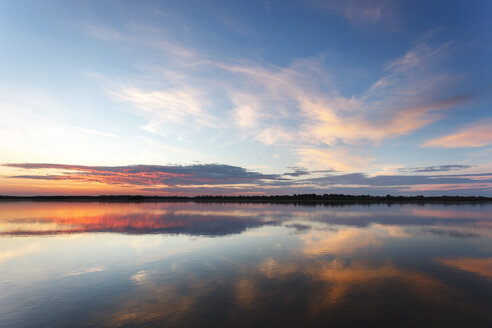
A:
223,265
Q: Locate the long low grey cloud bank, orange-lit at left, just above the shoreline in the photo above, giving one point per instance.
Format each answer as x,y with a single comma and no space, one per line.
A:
227,179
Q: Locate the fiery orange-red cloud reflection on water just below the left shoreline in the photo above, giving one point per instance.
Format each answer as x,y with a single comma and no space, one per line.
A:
49,218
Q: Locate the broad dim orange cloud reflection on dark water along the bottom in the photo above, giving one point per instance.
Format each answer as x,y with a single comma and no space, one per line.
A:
325,288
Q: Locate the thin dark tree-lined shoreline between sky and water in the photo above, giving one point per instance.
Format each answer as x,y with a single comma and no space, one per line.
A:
281,199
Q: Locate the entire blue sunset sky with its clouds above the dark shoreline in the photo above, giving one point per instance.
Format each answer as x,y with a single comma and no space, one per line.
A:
245,97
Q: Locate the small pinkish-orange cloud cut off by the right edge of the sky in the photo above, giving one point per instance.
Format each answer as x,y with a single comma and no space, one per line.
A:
478,134
